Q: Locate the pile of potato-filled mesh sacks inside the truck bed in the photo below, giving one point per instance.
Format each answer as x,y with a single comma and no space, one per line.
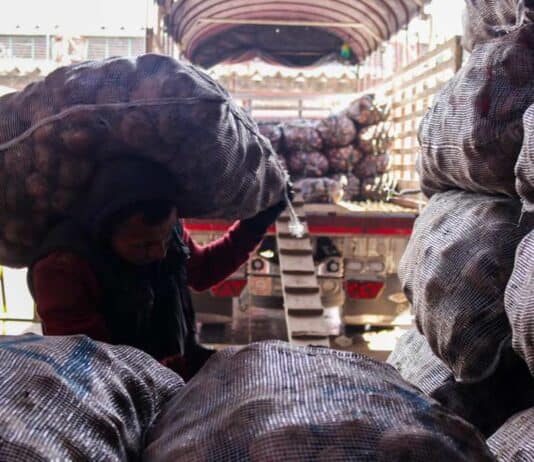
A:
352,145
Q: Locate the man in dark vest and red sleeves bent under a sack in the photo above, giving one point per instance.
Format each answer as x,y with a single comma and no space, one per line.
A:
119,269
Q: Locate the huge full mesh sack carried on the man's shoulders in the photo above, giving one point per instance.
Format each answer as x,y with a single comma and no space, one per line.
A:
54,132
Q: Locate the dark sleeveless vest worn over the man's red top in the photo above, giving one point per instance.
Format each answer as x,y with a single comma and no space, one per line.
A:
146,307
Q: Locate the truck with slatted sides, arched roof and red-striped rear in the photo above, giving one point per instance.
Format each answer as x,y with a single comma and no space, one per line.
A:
356,247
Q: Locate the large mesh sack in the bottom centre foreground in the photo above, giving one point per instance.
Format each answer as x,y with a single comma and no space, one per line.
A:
276,402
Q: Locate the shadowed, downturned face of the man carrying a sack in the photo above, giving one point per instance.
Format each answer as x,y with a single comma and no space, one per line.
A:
141,244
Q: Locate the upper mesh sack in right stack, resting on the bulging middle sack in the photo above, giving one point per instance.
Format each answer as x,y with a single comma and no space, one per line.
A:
471,137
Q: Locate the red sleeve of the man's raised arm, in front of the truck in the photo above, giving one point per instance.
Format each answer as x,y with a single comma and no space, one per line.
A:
214,262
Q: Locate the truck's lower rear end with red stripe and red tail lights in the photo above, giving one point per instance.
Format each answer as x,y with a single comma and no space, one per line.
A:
356,253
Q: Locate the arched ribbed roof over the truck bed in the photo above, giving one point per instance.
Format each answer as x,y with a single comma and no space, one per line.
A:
292,32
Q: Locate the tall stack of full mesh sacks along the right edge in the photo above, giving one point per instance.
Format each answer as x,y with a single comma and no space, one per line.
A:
469,267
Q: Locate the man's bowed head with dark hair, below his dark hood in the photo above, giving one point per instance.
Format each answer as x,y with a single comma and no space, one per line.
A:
141,233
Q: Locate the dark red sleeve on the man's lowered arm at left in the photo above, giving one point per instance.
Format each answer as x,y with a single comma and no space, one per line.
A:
67,295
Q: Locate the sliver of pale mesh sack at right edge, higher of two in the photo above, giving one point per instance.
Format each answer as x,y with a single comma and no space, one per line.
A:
524,169
